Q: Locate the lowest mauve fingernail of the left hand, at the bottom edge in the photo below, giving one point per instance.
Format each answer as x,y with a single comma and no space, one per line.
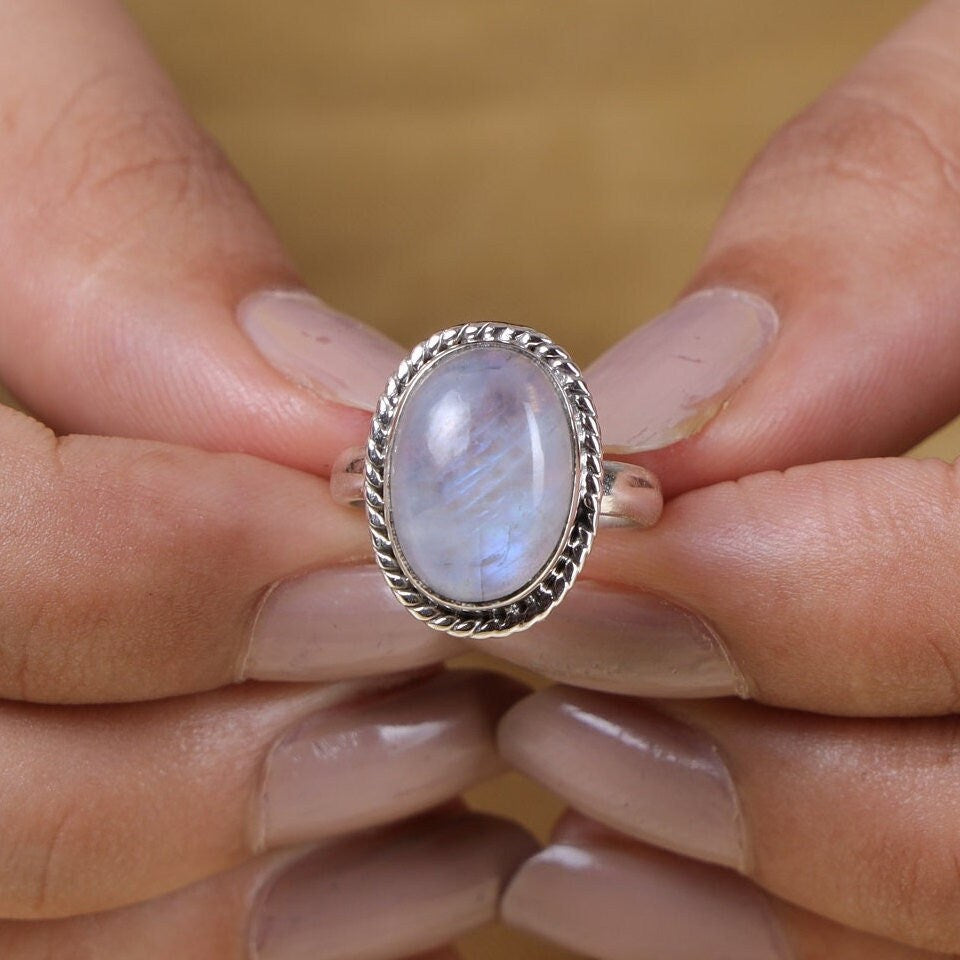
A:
392,893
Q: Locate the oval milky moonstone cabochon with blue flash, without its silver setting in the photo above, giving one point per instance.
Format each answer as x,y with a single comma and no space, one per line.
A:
481,479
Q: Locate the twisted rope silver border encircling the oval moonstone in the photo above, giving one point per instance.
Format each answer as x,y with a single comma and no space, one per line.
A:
547,591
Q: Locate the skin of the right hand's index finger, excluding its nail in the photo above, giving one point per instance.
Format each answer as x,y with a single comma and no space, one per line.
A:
825,586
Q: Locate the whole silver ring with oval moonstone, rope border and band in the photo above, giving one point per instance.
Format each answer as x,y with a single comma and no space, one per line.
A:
484,480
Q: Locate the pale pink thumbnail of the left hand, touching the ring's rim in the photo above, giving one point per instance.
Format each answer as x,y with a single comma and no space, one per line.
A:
339,358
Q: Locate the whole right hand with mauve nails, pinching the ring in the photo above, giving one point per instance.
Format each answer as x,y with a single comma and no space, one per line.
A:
818,820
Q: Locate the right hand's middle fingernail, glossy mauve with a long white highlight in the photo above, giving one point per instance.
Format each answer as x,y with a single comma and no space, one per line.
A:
629,767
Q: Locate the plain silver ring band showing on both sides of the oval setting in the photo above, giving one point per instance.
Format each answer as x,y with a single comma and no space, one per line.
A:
631,495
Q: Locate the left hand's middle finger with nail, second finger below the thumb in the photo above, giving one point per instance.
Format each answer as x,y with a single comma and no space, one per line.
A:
198,784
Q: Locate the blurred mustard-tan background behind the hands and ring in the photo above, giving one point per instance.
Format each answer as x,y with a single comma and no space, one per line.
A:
549,162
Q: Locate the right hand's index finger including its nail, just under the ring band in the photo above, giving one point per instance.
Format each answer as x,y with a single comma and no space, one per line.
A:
822,589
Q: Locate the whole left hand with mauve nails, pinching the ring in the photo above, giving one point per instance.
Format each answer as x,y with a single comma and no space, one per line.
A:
149,801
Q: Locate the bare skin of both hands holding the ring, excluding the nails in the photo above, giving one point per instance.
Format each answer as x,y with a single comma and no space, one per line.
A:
104,173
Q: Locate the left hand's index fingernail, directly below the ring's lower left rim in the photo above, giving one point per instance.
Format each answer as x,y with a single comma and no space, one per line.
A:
336,623
